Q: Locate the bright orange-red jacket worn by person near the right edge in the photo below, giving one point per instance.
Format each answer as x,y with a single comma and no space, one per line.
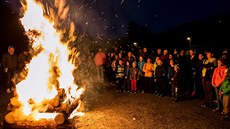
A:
218,76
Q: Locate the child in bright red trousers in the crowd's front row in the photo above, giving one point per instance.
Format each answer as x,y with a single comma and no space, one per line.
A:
134,77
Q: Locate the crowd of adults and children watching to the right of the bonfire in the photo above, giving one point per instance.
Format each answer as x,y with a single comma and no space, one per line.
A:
179,74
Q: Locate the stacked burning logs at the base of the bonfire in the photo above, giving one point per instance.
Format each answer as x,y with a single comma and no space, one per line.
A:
58,109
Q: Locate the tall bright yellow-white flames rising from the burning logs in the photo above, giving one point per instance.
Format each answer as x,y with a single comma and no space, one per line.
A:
50,68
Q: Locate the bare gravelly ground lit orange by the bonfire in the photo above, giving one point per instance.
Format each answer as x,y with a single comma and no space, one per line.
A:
106,109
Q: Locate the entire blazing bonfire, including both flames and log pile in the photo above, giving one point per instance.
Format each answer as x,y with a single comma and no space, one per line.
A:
48,93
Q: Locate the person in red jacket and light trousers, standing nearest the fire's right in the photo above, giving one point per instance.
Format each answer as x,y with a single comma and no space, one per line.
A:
100,60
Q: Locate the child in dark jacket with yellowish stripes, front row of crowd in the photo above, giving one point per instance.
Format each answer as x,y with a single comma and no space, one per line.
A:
120,75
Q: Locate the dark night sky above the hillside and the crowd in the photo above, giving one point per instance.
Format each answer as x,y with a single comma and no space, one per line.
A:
110,17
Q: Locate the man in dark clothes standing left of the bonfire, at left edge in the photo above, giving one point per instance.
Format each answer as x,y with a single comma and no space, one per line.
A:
9,64
